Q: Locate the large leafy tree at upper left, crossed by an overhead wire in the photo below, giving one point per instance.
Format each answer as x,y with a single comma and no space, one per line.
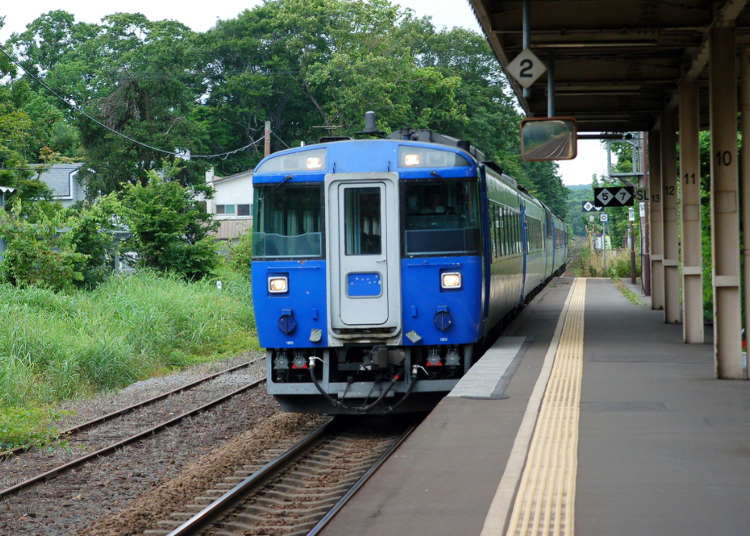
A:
134,76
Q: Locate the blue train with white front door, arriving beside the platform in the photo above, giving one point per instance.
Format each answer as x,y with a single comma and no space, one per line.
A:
381,266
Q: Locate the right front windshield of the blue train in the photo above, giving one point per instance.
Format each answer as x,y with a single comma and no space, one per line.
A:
442,217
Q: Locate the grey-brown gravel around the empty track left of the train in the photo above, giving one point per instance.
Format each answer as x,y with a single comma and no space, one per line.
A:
70,501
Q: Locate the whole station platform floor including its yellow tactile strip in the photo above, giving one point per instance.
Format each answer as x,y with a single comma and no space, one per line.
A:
596,420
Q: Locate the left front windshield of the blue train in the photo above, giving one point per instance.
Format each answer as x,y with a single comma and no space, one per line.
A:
287,221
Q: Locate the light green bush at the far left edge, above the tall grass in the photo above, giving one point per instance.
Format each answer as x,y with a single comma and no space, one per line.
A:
38,254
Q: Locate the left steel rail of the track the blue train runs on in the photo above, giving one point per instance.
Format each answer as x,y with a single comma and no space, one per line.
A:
261,475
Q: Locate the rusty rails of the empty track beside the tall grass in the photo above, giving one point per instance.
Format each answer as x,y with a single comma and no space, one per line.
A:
99,446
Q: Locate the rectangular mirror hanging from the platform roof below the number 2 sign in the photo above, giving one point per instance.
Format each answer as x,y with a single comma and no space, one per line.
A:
549,138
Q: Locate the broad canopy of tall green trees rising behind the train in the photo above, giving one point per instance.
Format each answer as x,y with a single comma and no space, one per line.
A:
300,64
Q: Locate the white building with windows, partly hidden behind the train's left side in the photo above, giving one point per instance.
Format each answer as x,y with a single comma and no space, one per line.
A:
232,204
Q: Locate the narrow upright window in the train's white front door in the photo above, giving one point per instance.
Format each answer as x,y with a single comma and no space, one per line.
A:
362,224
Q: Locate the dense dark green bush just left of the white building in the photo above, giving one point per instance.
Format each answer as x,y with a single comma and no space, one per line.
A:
169,227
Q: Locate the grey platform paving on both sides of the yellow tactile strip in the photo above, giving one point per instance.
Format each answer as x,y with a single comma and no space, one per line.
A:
663,448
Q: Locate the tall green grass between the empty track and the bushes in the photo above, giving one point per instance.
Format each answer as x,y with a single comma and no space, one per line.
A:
55,346
